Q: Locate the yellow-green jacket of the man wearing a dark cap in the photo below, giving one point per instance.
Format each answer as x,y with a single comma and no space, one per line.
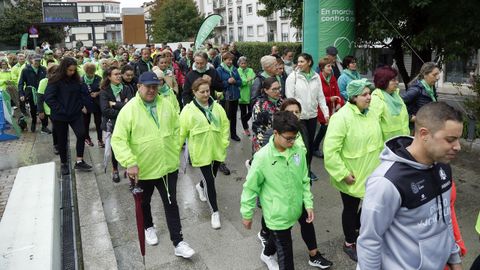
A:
136,139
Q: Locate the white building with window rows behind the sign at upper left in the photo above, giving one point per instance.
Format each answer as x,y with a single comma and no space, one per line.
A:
96,11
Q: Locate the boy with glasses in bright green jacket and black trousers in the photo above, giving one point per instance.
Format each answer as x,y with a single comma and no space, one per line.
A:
279,177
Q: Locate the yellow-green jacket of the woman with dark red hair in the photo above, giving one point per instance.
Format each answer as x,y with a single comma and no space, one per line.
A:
391,125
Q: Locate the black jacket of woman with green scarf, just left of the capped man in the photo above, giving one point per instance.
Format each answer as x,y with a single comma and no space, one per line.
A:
111,113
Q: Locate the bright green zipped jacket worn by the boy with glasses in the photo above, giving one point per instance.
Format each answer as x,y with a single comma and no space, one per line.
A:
282,185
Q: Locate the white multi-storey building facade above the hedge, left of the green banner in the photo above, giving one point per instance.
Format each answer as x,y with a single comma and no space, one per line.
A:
241,23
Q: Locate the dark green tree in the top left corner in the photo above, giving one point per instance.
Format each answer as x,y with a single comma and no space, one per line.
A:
18,18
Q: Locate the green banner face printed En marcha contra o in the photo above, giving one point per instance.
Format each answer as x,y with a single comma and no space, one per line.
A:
337,26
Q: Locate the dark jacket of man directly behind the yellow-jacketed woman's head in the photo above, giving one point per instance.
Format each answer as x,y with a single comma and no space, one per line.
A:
216,85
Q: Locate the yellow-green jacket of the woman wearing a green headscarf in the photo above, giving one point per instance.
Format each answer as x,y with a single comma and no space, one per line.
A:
352,145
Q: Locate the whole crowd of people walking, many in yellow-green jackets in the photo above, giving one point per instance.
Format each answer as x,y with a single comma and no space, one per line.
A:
157,102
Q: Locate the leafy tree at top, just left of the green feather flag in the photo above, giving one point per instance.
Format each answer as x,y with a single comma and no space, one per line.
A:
175,20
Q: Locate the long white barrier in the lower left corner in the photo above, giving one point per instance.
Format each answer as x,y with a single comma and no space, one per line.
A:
30,226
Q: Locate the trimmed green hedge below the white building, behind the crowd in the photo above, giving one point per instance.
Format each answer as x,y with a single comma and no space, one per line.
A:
255,50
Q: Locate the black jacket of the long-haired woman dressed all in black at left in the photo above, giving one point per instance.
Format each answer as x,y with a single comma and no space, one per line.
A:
65,99
